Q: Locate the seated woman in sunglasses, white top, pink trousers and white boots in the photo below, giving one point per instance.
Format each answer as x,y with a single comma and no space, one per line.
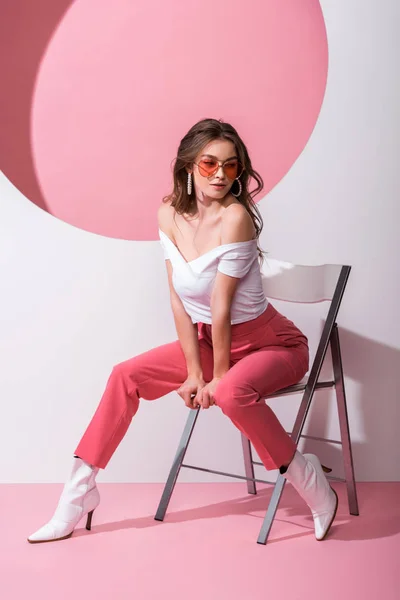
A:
233,347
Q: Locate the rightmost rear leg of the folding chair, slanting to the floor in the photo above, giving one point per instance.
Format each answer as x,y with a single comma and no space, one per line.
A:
344,422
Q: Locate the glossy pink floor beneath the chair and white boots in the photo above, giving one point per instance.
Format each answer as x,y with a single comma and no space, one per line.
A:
205,549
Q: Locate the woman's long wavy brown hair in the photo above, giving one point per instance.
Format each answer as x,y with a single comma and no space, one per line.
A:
203,132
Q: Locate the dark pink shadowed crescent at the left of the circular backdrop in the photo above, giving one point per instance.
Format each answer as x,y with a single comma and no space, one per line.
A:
26,30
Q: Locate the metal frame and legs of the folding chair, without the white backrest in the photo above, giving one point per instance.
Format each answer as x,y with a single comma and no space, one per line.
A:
329,337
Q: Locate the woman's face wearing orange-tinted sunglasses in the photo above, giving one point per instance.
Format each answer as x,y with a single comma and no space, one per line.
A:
218,184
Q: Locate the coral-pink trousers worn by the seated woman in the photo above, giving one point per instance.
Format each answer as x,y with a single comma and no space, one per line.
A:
267,353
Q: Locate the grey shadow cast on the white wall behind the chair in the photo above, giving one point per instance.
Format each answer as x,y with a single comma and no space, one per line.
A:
375,368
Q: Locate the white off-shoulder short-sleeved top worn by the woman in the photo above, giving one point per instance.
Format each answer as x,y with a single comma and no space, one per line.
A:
193,280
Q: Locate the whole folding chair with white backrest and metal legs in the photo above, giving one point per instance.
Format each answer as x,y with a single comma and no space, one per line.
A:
300,284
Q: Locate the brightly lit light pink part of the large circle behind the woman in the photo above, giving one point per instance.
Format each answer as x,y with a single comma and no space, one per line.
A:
120,83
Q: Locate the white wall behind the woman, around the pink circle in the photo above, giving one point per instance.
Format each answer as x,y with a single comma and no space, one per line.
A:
73,304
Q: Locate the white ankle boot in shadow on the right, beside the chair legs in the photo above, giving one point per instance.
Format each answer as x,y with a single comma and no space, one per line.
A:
307,477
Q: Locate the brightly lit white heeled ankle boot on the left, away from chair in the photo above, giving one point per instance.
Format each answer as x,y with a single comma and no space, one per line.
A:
80,497
